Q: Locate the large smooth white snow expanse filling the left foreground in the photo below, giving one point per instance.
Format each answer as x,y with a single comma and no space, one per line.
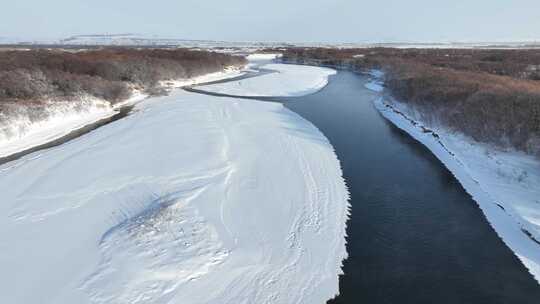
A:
191,199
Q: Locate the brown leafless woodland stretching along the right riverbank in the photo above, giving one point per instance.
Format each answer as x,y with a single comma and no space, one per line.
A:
490,95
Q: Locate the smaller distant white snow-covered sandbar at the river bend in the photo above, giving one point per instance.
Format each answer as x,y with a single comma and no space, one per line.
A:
288,80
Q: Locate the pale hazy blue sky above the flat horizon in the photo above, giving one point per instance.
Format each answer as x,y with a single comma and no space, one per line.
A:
278,20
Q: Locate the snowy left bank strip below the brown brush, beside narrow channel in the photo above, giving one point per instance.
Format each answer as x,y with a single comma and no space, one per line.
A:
20,131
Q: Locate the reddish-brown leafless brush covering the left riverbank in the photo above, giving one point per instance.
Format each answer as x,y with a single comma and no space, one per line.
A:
34,75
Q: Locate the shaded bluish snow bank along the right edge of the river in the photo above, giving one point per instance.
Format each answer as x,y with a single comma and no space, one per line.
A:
485,173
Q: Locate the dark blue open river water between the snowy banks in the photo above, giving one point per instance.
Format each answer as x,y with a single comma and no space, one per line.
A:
414,236
